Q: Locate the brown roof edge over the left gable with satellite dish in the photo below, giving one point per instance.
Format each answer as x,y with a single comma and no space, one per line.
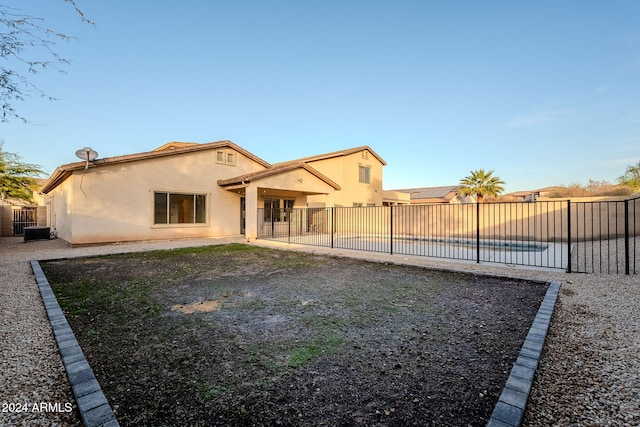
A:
170,149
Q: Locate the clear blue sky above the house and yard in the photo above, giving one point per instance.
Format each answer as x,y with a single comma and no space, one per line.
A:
543,92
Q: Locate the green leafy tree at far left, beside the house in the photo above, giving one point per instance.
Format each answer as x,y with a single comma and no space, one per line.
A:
17,178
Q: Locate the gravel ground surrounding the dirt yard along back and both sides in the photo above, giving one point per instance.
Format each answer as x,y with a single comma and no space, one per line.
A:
588,375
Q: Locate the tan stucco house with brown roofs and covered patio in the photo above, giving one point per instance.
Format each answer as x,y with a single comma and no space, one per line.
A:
183,189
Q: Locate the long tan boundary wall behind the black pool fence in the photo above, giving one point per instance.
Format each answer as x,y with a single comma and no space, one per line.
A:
519,221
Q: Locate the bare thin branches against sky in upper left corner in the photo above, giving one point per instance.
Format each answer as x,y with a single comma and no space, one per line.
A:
27,47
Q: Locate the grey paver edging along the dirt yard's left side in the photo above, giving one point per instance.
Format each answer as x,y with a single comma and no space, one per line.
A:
92,403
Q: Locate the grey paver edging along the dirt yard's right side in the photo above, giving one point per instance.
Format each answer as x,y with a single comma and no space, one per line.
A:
511,405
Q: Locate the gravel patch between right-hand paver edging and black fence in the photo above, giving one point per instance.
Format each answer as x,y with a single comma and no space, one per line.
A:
590,372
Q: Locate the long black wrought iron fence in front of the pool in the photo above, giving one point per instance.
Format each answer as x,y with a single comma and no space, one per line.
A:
578,237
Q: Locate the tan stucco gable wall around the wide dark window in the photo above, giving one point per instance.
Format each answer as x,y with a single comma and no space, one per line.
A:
115,202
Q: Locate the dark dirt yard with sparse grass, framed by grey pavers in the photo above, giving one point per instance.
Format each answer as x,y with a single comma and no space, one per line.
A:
247,336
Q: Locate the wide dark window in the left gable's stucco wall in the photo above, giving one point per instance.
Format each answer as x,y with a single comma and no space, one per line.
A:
175,208
